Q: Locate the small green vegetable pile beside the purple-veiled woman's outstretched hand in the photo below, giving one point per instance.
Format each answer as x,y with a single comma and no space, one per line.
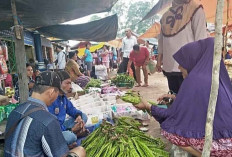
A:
131,97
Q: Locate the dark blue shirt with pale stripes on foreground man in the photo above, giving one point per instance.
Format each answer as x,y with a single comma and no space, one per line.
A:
38,134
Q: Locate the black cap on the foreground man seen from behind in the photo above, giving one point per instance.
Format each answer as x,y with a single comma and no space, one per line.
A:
49,78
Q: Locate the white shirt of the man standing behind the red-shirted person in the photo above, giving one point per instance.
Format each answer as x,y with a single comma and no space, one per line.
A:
127,45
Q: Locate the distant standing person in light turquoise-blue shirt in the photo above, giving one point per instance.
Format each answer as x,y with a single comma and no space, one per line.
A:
88,59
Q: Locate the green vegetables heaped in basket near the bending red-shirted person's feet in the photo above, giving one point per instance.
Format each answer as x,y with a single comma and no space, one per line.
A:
123,80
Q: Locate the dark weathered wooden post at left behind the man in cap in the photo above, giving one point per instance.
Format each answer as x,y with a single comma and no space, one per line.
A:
20,56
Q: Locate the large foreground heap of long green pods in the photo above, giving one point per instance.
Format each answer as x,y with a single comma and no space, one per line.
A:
123,140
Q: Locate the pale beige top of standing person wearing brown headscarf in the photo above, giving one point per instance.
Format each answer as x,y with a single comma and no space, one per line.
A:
168,46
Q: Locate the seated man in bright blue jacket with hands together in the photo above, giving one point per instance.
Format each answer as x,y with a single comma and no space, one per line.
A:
62,106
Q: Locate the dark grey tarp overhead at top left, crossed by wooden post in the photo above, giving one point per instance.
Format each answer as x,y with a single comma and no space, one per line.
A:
37,13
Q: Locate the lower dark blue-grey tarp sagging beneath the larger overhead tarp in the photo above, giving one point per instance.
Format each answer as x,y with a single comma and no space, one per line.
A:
100,30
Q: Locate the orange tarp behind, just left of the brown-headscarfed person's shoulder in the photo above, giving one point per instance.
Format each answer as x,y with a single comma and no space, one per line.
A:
152,32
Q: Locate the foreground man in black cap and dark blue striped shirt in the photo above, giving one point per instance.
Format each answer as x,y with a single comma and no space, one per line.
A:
31,130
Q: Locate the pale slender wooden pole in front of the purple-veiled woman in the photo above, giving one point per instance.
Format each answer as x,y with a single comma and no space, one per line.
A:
215,79
